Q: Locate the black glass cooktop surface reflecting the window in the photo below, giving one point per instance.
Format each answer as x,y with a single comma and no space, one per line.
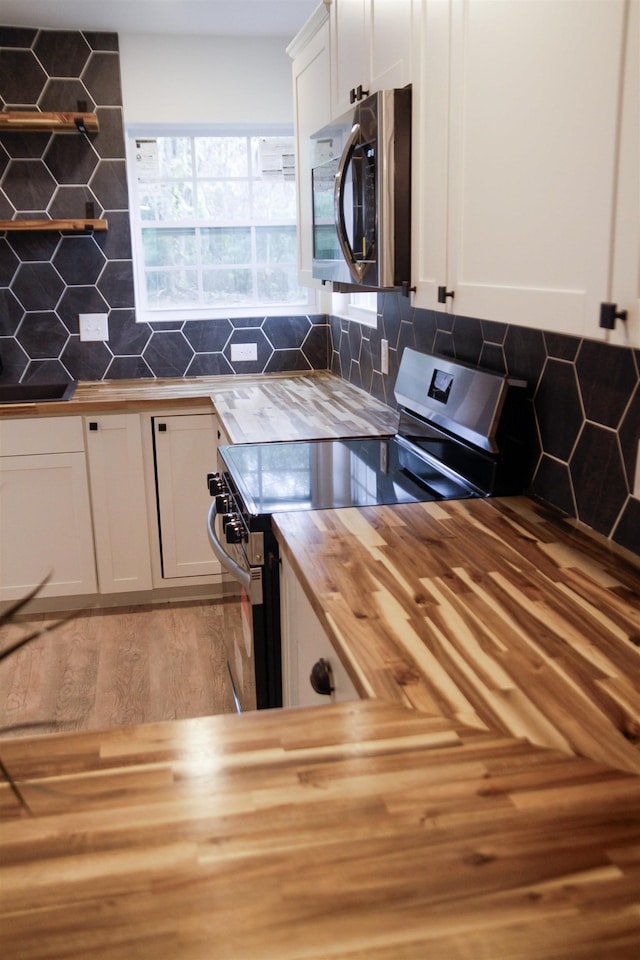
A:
323,474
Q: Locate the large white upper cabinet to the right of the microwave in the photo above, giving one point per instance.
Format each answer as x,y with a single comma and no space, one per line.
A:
525,162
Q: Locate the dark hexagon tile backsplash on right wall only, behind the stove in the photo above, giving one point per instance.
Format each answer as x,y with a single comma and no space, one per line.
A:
584,423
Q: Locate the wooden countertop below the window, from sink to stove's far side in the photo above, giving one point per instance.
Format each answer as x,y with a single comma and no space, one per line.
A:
305,406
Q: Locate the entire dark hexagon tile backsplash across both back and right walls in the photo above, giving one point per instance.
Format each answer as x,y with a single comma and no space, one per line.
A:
585,396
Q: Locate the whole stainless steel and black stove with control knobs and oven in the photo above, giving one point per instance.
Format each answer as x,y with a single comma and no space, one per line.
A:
461,434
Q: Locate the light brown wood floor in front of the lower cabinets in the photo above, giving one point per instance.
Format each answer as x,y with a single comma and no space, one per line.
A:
117,667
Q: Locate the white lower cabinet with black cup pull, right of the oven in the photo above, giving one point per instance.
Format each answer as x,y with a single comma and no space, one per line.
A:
304,644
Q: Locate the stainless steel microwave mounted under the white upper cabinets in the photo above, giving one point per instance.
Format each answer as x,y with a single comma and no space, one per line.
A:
361,190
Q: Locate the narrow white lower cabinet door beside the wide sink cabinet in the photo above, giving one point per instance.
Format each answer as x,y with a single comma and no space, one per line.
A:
116,472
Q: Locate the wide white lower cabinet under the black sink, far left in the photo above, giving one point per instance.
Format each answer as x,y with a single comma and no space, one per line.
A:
45,515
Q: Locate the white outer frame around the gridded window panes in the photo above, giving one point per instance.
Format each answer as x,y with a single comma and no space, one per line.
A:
144,314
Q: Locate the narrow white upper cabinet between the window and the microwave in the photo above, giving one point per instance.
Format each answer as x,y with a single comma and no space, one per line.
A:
312,111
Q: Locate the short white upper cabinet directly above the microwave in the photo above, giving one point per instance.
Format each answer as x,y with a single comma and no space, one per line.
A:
370,48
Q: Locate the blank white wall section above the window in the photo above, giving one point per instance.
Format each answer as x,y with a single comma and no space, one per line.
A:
199,80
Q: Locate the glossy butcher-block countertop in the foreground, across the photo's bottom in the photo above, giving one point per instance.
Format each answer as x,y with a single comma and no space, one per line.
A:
350,832
